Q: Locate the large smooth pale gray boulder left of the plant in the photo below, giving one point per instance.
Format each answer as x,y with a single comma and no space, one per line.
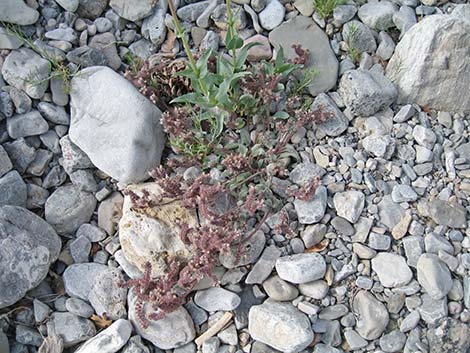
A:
141,139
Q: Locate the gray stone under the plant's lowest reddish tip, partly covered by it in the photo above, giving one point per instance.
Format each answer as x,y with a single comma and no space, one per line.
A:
175,330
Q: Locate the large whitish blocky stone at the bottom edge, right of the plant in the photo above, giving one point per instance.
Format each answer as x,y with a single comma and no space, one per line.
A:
292,328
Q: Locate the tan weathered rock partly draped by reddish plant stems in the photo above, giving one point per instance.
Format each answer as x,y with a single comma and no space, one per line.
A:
151,235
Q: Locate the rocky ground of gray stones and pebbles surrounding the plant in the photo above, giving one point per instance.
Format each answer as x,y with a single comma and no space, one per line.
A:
381,258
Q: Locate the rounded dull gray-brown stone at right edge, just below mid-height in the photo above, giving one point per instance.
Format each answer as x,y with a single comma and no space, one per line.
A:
447,213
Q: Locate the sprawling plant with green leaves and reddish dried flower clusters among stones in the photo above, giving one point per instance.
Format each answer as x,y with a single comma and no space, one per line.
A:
234,125
